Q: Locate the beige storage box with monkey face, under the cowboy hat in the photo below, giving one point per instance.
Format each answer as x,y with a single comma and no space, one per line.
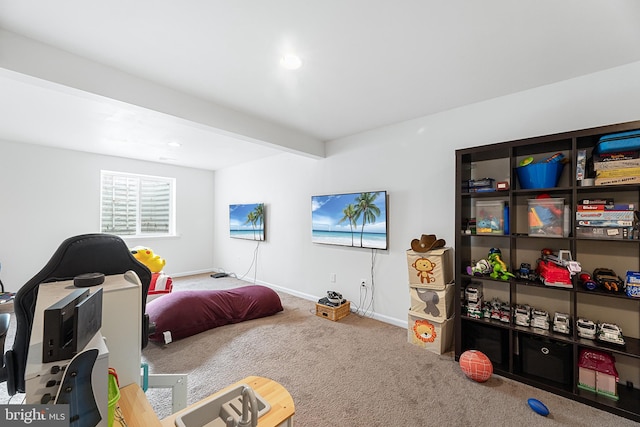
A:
431,269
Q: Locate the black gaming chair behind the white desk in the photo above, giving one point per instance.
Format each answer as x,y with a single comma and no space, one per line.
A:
88,253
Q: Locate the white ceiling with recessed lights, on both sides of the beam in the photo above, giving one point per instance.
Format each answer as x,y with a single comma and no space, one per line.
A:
366,64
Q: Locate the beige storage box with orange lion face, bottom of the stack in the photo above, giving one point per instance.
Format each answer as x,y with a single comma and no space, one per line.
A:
436,337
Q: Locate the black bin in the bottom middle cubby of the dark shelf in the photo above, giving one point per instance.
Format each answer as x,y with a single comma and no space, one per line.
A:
545,358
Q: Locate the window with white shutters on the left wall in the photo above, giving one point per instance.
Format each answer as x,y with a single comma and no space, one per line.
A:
136,205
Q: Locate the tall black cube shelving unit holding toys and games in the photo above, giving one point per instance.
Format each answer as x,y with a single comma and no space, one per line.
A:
504,341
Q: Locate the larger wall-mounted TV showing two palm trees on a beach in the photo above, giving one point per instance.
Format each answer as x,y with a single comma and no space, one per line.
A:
351,219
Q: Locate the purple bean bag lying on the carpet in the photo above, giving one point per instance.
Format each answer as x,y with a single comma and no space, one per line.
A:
186,313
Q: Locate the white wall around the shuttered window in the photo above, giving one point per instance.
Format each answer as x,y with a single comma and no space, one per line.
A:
47,195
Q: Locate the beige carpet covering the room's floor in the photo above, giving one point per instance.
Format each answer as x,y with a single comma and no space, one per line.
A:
355,372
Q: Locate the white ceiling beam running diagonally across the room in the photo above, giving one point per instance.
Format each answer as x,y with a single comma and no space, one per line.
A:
41,64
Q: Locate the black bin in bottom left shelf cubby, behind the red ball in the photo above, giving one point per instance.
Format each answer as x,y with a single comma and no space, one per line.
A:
492,341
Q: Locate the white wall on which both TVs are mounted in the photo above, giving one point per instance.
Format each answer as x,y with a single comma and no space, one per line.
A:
415,162
